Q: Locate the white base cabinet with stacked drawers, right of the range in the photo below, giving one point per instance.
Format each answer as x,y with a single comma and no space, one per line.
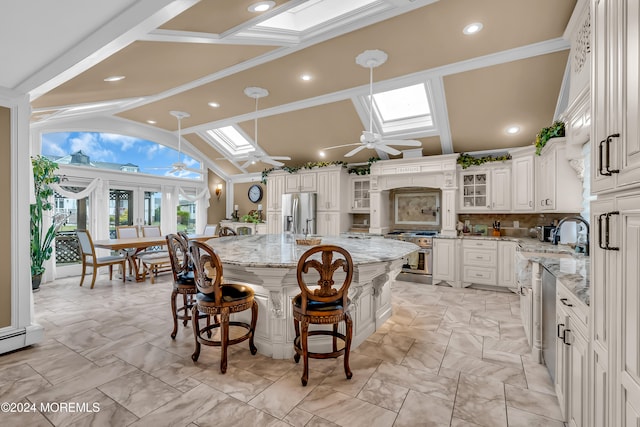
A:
479,262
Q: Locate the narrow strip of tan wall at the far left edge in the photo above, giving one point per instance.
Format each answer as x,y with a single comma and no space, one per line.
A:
5,216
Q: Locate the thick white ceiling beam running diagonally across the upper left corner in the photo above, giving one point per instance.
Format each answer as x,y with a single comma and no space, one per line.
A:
139,19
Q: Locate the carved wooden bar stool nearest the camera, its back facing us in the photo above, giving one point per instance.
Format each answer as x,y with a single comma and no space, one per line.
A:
326,304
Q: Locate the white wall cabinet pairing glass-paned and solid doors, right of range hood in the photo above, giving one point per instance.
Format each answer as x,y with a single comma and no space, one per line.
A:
485,189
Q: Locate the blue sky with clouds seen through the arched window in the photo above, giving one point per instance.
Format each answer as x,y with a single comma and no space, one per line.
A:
114,148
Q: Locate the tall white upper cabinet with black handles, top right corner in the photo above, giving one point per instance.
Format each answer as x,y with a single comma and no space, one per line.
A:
615,156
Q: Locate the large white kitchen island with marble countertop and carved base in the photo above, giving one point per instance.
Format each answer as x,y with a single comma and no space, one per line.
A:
268,264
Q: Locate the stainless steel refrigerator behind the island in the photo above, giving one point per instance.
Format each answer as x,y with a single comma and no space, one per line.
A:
299,213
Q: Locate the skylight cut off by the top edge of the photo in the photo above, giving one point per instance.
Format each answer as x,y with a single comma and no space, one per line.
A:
313,13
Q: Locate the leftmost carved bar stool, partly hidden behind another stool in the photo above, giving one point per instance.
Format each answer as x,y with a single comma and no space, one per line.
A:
183,280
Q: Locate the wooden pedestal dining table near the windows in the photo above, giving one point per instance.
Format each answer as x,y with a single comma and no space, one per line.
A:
131,247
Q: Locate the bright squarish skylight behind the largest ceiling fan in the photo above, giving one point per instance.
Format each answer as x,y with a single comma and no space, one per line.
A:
405,109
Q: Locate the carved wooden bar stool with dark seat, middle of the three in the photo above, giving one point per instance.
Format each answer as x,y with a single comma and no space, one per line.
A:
215,298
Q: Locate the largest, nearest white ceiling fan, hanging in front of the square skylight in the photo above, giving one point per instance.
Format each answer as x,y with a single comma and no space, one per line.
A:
369,139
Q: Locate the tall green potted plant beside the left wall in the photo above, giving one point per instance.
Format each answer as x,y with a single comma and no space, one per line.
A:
41,240
